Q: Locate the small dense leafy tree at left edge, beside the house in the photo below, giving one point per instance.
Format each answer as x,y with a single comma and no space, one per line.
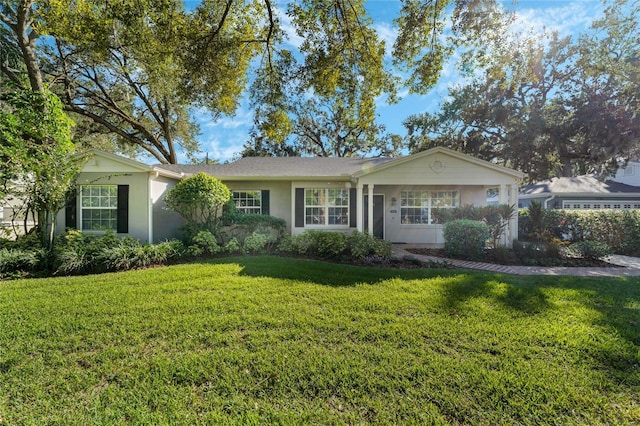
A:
39,159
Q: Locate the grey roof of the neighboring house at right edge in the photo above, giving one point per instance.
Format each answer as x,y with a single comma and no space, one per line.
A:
580,184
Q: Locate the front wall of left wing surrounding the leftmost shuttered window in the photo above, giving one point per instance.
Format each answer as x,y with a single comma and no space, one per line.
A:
139,214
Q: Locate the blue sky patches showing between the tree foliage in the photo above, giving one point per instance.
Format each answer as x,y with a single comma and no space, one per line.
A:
223,139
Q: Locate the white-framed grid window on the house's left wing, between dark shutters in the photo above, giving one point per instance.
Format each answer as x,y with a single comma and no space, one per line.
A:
99,207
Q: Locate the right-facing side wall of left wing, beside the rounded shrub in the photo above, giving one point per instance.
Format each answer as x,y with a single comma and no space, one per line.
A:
165,223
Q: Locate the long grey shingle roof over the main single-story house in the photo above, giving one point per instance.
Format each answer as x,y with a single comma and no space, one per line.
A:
277,167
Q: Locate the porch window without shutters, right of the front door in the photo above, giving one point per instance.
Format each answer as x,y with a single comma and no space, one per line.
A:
415,206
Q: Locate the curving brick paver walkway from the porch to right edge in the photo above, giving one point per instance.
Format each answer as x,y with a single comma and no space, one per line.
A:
621,266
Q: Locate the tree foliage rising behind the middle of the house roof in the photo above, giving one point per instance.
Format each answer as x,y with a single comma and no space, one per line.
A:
322,101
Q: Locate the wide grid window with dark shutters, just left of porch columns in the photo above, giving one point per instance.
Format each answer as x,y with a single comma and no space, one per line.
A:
326,206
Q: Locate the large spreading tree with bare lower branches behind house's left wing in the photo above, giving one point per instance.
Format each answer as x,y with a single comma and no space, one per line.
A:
140,68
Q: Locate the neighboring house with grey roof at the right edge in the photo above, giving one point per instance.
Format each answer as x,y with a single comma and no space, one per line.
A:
581,192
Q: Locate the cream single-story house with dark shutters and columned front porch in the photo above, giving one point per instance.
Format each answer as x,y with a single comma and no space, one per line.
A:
391,198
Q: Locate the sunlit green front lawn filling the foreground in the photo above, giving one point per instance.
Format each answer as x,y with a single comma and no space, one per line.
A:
263,340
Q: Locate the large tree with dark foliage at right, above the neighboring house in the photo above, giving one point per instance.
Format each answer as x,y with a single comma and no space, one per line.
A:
548,106
